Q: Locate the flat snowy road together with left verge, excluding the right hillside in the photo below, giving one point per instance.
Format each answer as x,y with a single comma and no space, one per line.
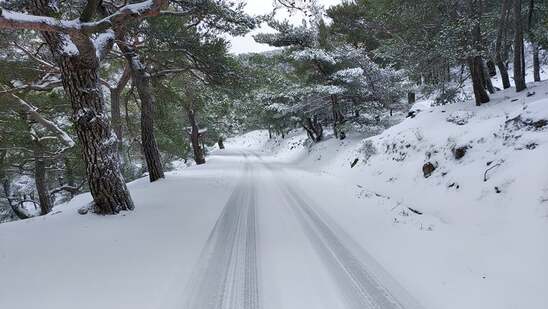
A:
242,232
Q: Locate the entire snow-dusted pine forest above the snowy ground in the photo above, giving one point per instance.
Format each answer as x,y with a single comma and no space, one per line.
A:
97,93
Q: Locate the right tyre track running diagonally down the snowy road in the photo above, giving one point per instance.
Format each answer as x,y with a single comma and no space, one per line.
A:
363,285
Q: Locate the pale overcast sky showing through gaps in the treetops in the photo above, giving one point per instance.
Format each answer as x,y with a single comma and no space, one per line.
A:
256,7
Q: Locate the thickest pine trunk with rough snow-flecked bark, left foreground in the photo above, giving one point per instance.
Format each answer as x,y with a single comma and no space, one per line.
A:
79,72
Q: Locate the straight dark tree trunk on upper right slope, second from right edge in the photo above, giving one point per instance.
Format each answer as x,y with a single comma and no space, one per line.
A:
519,68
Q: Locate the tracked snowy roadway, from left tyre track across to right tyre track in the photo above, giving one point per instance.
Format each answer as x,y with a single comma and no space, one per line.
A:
274,246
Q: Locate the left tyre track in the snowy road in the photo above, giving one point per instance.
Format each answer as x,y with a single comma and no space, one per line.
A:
226,276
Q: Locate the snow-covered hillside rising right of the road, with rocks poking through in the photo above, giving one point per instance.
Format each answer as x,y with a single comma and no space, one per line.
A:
474,229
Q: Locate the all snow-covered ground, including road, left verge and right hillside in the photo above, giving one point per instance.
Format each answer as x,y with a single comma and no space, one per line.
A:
285,224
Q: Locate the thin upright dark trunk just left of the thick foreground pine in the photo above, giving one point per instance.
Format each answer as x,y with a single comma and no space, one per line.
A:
40,178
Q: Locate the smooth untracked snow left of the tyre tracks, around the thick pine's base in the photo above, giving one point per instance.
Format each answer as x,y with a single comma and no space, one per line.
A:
138,259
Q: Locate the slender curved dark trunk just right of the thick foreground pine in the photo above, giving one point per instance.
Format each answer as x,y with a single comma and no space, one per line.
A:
141,81
